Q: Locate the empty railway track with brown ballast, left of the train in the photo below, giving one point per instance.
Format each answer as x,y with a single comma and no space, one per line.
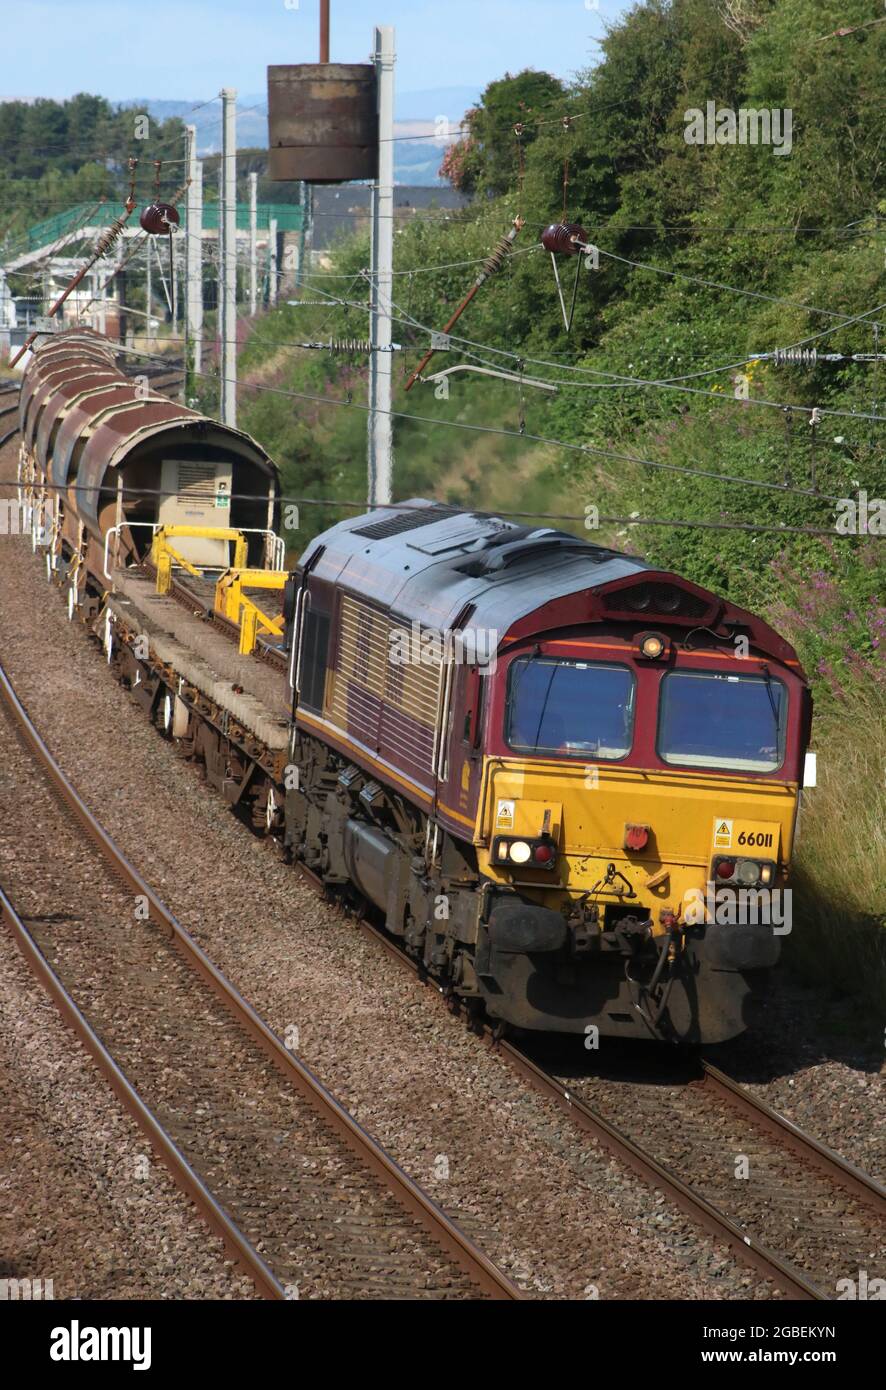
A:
301,1195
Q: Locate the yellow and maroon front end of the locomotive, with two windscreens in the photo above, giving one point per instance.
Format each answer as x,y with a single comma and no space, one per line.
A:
635,828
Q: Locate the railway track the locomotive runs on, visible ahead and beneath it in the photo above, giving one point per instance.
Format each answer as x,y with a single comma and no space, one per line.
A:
828,1217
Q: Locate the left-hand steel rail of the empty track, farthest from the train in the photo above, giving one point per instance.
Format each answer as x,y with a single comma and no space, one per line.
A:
188,1181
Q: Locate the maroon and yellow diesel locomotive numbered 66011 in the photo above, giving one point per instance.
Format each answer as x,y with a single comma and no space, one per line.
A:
535,755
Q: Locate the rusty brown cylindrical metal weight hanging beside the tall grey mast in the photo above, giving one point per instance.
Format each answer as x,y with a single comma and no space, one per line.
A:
322,122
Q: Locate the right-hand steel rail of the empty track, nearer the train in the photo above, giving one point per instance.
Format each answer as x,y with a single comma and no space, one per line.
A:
371,1154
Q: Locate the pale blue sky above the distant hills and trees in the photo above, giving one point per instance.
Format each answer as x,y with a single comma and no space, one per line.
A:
187,49
